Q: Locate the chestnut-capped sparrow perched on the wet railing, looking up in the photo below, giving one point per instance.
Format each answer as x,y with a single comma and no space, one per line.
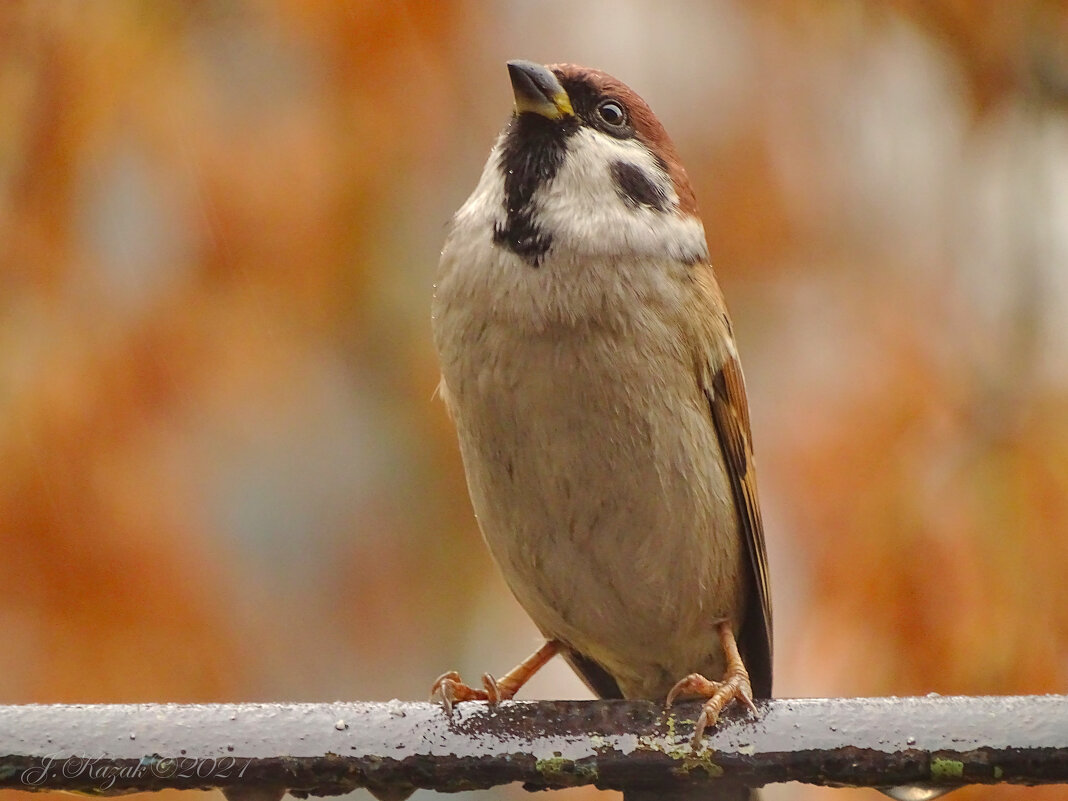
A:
590,367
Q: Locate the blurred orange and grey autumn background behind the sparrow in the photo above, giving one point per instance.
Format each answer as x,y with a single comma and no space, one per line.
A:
224,476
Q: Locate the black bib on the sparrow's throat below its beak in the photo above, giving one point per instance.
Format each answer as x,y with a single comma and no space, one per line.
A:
533,152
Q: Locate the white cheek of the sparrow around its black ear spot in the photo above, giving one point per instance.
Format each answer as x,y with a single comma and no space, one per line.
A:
583,210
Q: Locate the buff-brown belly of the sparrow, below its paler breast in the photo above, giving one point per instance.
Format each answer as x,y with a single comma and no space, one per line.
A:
602,493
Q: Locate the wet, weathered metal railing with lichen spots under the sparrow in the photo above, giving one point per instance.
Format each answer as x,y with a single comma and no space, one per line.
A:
258,751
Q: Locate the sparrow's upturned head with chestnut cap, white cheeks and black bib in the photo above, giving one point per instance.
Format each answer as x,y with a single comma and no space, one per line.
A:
585,169
